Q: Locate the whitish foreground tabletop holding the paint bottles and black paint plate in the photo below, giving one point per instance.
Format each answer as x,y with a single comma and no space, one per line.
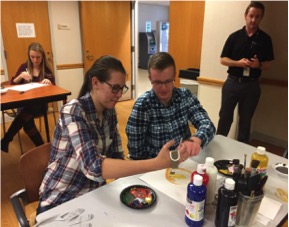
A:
105,205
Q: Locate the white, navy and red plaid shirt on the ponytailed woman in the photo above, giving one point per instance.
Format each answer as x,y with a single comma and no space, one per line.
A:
78,147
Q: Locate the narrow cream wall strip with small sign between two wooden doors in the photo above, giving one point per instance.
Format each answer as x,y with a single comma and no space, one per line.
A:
66,44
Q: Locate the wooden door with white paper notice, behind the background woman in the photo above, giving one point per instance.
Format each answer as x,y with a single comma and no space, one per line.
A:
15,48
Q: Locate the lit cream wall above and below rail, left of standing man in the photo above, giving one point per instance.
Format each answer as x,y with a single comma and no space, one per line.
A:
221,19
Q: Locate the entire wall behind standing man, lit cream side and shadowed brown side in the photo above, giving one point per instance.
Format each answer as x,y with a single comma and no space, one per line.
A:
270,122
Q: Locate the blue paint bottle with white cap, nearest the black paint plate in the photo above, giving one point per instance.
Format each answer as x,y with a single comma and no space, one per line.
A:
196,200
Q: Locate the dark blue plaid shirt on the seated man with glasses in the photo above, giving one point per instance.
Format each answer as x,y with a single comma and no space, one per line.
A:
152,124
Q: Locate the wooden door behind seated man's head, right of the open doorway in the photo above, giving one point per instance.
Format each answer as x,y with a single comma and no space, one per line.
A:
186,33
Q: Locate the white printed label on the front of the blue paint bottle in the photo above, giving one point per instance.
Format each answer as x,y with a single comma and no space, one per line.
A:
195,210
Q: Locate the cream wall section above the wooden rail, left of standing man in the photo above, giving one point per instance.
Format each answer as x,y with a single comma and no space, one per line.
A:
221,19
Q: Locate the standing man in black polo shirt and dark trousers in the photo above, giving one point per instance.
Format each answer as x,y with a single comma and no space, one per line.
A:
246,52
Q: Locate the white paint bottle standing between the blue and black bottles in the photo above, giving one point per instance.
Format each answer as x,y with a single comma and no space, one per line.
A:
212,171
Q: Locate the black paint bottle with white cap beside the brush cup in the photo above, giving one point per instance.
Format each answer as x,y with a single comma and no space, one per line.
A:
227,205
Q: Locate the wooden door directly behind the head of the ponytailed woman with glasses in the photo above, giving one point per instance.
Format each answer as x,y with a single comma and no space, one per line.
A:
106,30
